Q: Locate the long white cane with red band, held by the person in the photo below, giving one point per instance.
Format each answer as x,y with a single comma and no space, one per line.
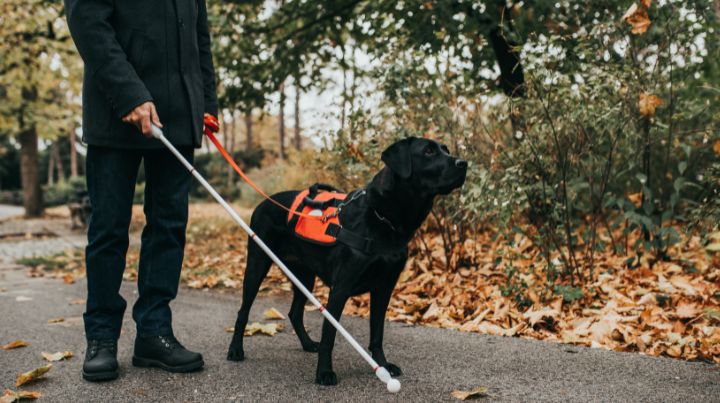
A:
393,385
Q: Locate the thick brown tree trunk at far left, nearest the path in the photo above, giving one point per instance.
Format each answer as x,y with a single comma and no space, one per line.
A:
29,171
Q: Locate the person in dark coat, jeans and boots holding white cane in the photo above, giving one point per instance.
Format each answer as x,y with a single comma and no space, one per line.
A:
146,62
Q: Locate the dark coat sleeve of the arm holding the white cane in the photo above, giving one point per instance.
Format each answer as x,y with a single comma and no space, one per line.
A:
105,60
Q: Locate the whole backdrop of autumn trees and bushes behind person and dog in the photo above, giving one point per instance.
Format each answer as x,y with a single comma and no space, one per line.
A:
591,127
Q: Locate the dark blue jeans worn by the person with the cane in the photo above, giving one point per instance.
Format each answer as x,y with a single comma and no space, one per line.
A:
111,176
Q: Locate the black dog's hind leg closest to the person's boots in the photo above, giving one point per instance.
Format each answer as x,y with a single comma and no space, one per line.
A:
258,265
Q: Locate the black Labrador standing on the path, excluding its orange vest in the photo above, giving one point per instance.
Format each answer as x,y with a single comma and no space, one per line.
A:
391,209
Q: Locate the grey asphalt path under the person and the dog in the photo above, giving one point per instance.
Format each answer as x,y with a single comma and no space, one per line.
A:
435,361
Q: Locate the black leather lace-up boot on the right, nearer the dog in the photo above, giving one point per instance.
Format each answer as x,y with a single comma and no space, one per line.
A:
167,353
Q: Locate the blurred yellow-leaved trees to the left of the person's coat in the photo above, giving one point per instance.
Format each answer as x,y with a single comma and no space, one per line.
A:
39,87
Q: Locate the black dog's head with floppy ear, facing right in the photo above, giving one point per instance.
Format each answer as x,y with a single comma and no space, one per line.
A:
426,165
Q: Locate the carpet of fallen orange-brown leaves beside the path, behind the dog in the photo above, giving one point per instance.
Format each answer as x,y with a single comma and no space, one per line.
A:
655,308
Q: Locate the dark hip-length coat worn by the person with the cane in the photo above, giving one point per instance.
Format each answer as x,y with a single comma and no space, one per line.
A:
143,50
